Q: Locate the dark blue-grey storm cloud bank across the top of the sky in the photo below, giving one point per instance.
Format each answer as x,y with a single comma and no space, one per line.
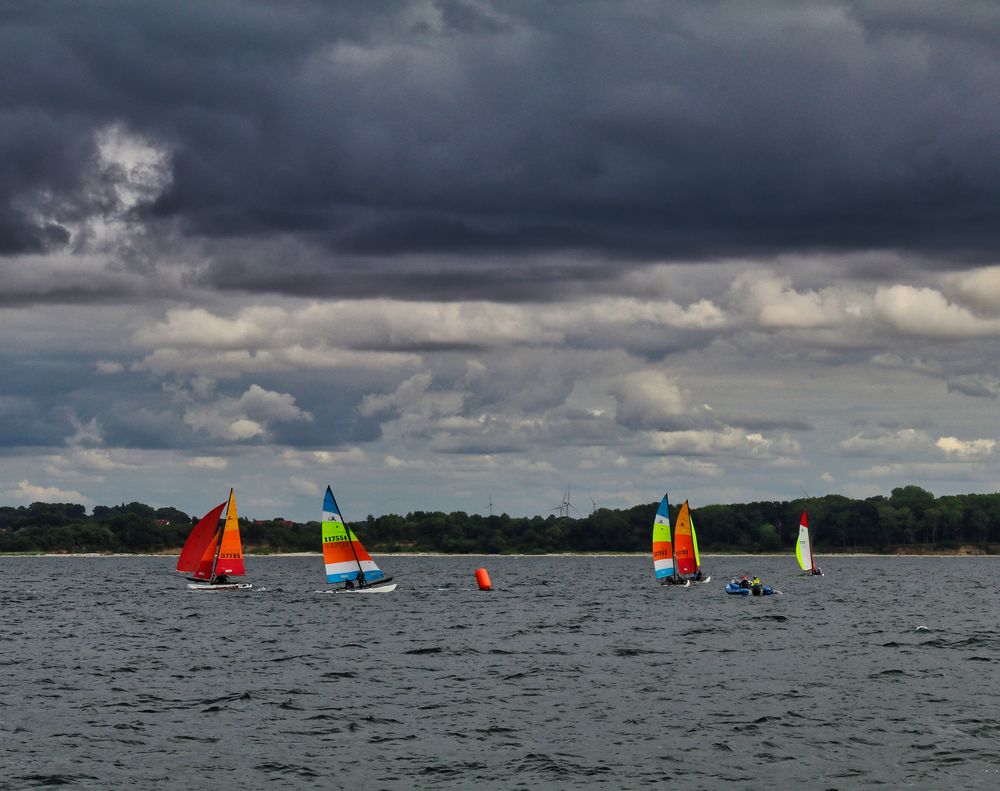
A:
459,129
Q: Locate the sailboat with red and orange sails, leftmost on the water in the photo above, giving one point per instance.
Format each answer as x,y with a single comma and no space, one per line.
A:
213,552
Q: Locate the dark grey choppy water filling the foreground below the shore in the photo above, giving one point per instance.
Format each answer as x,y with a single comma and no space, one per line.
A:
574,673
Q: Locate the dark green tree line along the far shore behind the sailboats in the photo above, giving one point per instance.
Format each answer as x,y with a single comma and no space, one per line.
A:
910,517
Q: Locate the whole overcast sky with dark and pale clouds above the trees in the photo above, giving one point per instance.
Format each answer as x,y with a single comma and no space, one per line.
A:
439,254
